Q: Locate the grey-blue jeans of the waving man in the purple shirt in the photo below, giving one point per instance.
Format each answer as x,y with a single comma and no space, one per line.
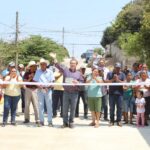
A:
69,99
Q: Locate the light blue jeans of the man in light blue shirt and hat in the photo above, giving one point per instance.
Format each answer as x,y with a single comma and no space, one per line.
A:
47,97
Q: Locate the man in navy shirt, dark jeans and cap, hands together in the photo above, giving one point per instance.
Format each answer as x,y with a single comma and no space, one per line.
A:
116,93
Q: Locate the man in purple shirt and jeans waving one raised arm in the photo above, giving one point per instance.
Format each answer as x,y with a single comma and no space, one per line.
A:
70,96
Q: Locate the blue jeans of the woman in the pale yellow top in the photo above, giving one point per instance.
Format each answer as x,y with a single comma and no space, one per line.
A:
10,103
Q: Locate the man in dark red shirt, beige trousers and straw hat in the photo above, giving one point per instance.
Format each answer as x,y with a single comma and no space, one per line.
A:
31,93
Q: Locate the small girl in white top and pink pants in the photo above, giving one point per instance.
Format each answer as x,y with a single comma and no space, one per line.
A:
140,107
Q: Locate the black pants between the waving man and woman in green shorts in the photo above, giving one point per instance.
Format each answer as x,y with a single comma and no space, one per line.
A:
82,94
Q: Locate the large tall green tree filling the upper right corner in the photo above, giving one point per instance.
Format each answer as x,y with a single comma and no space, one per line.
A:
131,30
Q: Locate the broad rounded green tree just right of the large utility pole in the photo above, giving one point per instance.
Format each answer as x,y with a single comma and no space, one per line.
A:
37,47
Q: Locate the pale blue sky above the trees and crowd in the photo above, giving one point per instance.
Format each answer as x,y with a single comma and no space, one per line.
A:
83,20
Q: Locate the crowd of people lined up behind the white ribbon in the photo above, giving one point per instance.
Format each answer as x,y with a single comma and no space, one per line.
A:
129,100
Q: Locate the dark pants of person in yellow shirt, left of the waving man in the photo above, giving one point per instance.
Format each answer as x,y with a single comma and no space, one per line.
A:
57,97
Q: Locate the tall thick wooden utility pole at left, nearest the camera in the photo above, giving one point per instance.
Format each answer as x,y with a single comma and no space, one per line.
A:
16,38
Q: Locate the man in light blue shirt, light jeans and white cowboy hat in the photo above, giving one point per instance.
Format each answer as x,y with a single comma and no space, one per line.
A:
44,75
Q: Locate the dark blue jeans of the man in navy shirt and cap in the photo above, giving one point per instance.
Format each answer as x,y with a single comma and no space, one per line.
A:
115,100
